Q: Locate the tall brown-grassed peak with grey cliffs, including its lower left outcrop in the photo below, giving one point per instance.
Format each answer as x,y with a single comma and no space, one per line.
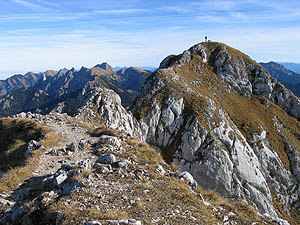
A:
218,115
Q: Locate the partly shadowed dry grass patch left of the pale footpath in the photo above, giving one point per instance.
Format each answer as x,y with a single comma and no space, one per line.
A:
15,134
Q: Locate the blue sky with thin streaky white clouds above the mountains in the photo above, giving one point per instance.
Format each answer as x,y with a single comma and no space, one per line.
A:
37,35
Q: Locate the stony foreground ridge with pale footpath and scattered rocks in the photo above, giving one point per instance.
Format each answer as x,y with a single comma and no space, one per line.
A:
104,177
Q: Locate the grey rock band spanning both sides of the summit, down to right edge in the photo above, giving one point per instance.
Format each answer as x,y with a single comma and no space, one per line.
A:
246,78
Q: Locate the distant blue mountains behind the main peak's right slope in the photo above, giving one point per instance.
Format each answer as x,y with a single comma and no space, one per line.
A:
289,78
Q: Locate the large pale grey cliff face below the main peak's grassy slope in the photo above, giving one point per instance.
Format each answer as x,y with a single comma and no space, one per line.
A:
219,158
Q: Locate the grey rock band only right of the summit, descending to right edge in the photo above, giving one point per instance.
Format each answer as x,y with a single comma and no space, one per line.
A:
250,78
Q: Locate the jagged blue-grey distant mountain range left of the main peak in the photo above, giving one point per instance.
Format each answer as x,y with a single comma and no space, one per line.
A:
60,91
